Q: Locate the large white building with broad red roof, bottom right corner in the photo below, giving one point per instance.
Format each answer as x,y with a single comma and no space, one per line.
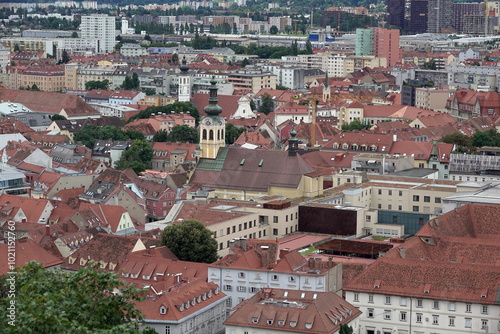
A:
444,280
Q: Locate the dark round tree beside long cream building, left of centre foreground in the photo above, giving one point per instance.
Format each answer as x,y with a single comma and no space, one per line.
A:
191,241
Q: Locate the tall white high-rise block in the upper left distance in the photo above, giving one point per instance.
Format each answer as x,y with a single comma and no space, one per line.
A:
102,27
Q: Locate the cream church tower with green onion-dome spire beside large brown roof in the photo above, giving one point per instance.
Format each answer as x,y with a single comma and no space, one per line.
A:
212,126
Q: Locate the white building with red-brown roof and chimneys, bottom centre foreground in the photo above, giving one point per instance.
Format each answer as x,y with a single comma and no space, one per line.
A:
259,264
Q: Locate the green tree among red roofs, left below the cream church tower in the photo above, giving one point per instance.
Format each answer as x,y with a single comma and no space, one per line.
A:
138,157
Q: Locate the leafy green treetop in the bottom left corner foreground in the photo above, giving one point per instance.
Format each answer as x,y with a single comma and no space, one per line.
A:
53,301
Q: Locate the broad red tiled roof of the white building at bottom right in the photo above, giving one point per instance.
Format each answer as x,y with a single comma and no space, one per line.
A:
452,257
